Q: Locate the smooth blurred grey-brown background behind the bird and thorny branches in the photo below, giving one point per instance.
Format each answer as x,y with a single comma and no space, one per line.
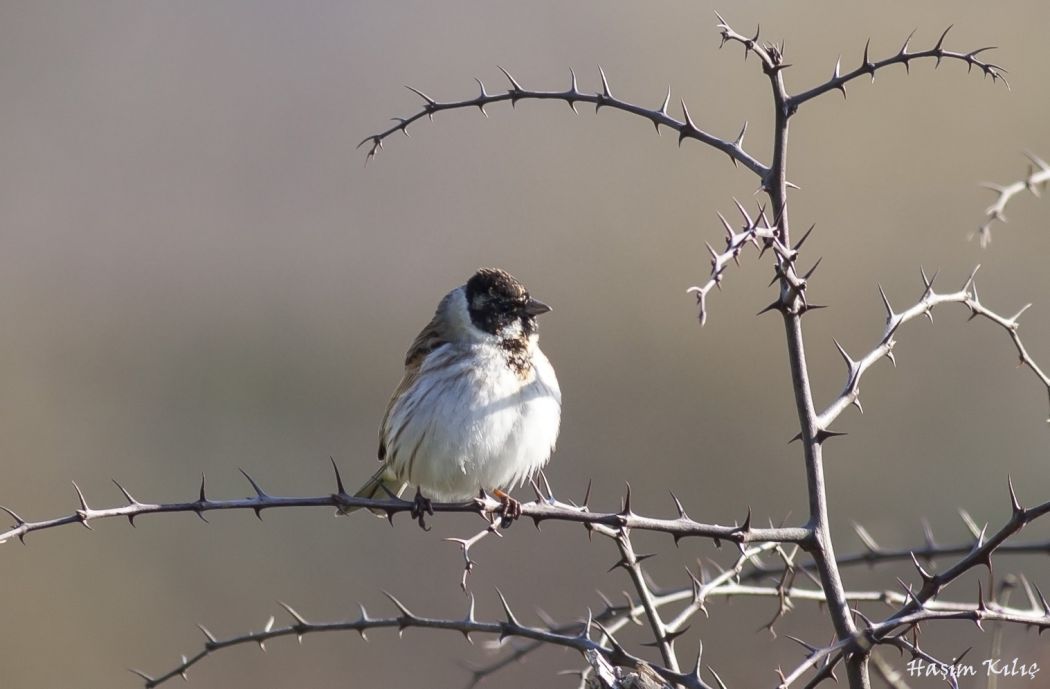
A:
199,274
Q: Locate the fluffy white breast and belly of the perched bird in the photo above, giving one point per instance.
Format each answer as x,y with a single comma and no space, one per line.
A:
470,423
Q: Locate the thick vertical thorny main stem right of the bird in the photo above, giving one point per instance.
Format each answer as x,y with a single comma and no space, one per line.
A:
793,308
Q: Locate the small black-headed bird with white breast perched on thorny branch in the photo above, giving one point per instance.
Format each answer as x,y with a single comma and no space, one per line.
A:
479,406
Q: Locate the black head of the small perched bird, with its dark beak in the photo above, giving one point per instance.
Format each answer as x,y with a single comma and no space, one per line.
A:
498,302
